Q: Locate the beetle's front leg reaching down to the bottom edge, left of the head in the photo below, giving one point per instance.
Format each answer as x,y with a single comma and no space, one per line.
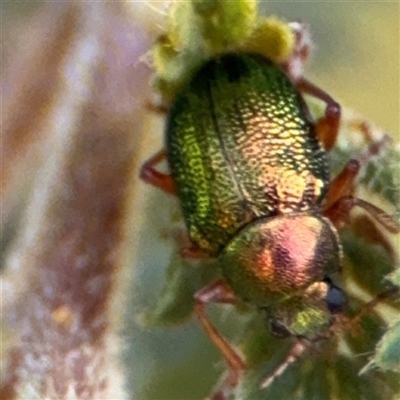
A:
219,292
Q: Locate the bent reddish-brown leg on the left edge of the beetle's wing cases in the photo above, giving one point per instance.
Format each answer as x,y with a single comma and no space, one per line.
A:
150,175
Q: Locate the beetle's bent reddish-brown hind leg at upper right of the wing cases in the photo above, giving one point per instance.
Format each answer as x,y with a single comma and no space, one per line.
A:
327,126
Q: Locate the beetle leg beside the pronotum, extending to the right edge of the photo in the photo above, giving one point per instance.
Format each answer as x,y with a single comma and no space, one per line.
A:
339,212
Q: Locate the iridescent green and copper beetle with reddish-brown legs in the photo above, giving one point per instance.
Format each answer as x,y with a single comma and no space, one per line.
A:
249,167
